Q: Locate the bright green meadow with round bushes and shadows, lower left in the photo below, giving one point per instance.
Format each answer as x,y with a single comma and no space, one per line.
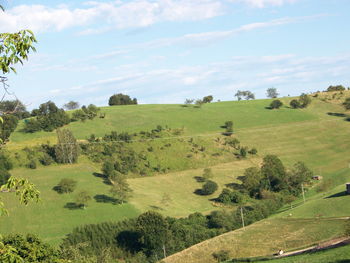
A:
49,218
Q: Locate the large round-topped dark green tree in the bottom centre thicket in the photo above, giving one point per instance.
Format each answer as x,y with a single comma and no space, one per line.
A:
153,230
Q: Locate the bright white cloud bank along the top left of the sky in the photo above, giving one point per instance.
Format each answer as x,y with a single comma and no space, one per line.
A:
116,14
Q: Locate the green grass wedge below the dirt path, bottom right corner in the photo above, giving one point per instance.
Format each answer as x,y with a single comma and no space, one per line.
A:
335,255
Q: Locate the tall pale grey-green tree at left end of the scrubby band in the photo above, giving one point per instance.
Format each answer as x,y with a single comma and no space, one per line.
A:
67,148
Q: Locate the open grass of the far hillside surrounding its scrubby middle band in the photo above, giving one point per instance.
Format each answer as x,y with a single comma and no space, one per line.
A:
292,134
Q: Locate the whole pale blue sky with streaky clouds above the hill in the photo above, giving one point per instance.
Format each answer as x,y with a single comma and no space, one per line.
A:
164,51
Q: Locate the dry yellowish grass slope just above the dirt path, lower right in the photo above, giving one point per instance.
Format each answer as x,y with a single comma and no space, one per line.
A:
261,239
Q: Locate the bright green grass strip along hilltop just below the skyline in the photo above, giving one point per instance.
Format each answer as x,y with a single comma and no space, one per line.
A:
208,119
